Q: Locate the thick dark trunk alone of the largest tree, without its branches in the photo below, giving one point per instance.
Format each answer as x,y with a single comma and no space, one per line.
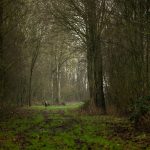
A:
94,58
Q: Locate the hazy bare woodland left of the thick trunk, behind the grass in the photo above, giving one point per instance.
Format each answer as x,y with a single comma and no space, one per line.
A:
38,60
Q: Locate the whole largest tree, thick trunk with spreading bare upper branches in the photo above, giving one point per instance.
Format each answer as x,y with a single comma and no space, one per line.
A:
88,19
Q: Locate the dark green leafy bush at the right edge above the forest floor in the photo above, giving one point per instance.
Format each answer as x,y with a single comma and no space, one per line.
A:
140,108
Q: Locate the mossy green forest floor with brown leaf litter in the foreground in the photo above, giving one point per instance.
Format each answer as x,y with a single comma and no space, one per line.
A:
58,128
